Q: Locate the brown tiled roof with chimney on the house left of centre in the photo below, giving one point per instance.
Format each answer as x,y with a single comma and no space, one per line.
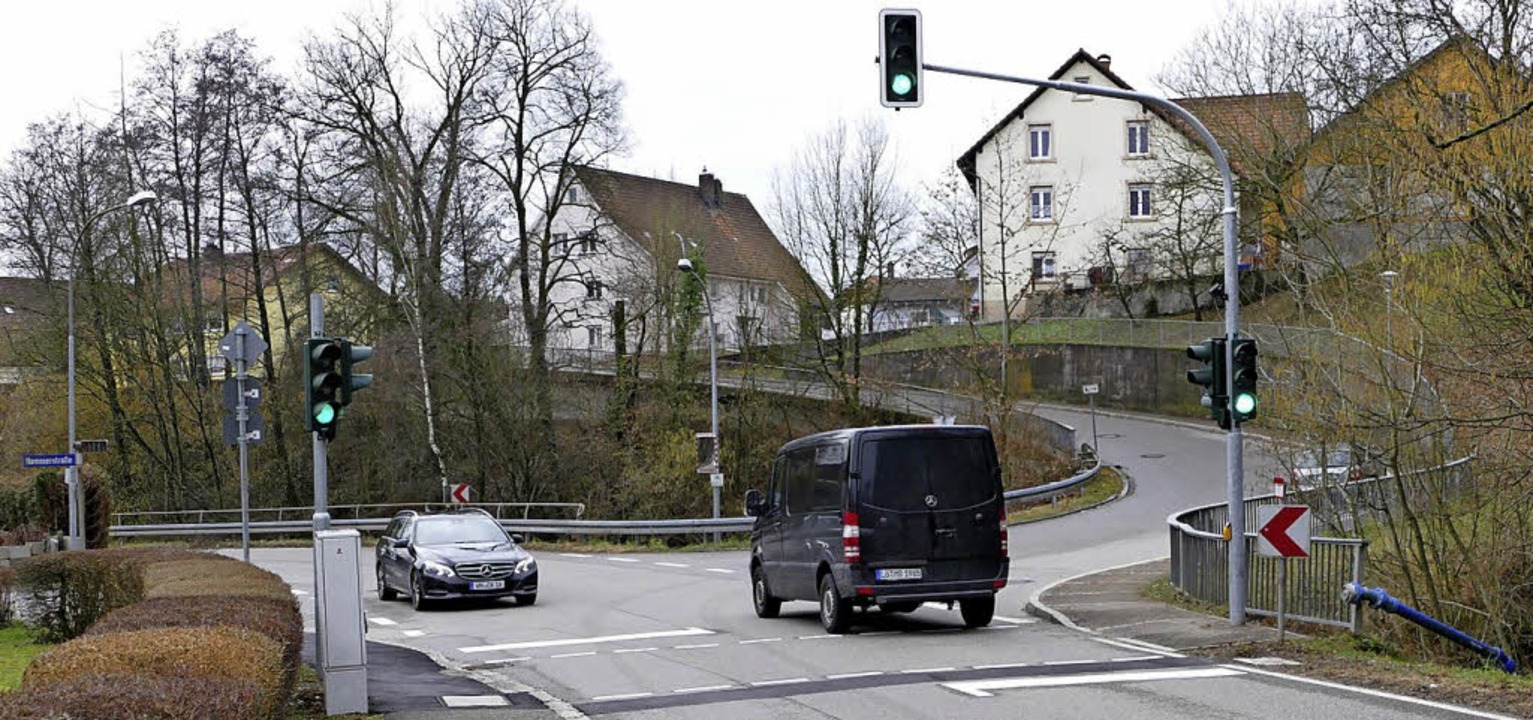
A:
737,241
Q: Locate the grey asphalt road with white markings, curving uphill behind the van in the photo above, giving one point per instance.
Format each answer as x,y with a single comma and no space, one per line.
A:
651,637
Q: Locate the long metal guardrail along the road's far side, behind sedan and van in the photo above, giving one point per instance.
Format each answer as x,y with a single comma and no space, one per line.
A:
539,526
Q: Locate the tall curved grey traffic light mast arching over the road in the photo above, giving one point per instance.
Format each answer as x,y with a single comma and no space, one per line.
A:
1233,440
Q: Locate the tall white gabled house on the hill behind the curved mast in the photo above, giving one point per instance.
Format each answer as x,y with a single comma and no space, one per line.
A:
1078,191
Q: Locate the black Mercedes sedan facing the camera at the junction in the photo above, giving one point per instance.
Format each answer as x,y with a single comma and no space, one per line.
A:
455,555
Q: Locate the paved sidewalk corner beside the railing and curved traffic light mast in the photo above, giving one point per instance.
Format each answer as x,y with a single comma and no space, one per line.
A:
1109,603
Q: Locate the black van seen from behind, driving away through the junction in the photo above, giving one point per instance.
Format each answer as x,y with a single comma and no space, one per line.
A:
890,517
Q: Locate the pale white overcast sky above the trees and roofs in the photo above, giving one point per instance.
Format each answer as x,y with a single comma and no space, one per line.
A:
729,85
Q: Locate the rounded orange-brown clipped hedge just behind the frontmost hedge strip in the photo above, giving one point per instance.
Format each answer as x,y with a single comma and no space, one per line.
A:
222,653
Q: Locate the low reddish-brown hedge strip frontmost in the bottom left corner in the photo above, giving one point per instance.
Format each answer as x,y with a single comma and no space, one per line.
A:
134,698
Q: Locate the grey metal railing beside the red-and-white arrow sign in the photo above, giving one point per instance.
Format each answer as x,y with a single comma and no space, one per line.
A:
1201,561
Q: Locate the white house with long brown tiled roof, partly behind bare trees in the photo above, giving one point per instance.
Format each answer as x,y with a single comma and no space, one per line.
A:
625,235
